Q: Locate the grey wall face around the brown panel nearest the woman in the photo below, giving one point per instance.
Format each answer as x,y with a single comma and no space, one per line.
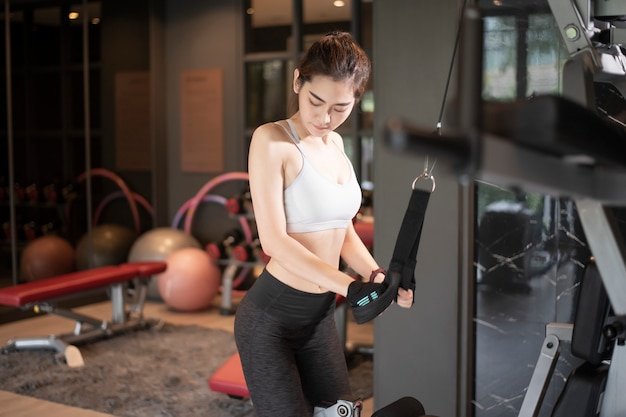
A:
203,34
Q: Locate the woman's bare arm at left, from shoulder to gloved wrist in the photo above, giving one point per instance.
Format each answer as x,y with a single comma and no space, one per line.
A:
266,167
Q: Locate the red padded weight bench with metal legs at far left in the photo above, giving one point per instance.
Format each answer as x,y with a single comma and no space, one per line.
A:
127,303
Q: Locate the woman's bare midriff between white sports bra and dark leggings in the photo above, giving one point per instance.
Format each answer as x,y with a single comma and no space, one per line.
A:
325,244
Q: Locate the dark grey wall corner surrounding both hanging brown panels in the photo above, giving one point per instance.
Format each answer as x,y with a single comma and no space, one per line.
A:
167,37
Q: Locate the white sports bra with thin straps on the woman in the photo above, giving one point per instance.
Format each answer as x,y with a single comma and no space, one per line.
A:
313,202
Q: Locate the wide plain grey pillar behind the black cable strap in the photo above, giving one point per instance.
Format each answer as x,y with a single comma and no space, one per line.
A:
417,350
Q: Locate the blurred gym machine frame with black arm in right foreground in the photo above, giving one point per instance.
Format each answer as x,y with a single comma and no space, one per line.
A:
482,147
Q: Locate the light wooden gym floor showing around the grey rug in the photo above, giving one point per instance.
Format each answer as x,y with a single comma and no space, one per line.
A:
20,406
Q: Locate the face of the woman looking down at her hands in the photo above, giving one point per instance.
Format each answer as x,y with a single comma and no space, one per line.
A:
324,104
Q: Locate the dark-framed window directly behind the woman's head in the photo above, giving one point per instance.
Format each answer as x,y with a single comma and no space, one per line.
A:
277,31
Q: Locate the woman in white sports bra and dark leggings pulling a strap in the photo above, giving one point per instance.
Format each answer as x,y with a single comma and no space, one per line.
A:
305,194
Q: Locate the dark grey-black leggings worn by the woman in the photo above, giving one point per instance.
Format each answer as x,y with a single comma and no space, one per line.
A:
290,350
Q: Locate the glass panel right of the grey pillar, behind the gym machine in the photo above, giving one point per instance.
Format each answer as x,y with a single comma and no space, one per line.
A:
527,246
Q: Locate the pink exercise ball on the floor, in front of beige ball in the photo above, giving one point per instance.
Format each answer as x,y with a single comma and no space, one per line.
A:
191,280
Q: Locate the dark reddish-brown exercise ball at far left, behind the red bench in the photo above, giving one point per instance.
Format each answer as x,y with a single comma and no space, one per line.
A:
46,257
